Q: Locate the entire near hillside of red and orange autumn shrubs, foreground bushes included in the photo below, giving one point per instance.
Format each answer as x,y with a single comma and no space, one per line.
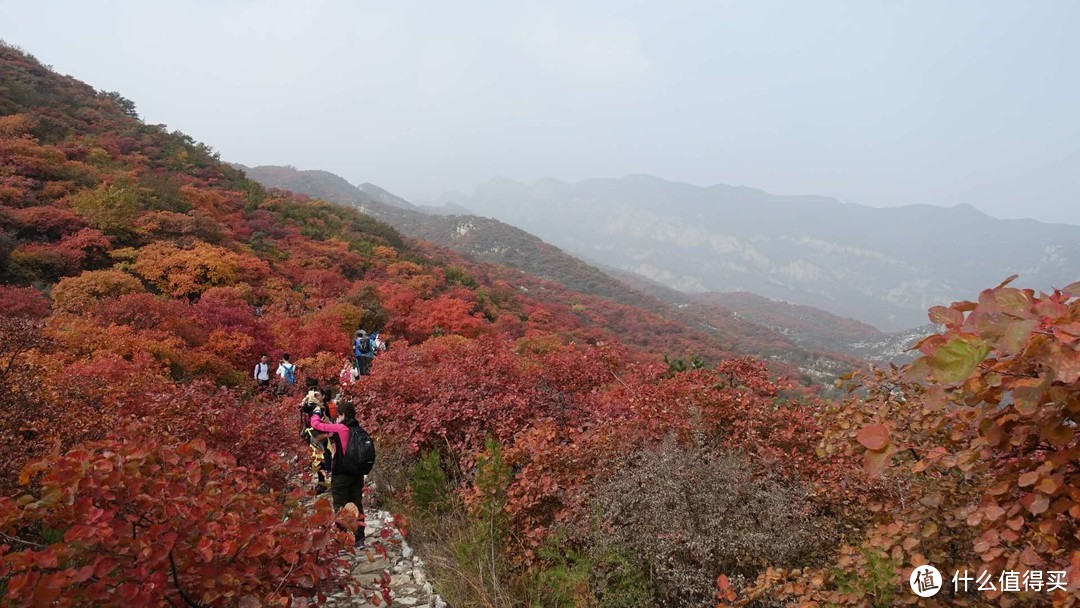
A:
536,445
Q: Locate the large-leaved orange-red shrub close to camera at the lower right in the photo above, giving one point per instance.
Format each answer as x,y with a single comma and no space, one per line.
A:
970,453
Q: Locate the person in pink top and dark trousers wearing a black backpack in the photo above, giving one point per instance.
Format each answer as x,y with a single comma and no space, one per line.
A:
354,458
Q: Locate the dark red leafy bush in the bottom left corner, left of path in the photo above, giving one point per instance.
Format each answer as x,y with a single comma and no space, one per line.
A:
150,525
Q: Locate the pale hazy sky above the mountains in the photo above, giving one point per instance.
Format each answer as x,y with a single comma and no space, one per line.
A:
875,103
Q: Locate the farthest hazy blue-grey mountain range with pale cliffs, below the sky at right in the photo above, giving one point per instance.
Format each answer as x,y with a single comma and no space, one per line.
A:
881,266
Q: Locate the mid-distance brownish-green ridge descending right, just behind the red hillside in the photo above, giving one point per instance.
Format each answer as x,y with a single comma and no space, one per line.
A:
778,339
